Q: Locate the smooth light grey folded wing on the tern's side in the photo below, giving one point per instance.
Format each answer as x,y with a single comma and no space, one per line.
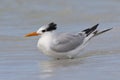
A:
66,42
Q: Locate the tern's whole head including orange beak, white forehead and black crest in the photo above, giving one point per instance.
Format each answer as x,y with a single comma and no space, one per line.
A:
46,28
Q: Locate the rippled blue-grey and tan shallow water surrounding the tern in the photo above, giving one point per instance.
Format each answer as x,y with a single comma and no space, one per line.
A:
21,60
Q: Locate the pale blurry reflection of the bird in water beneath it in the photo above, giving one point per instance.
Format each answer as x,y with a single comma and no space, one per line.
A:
50,67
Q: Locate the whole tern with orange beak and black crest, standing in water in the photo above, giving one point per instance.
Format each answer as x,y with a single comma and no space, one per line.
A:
63,45
